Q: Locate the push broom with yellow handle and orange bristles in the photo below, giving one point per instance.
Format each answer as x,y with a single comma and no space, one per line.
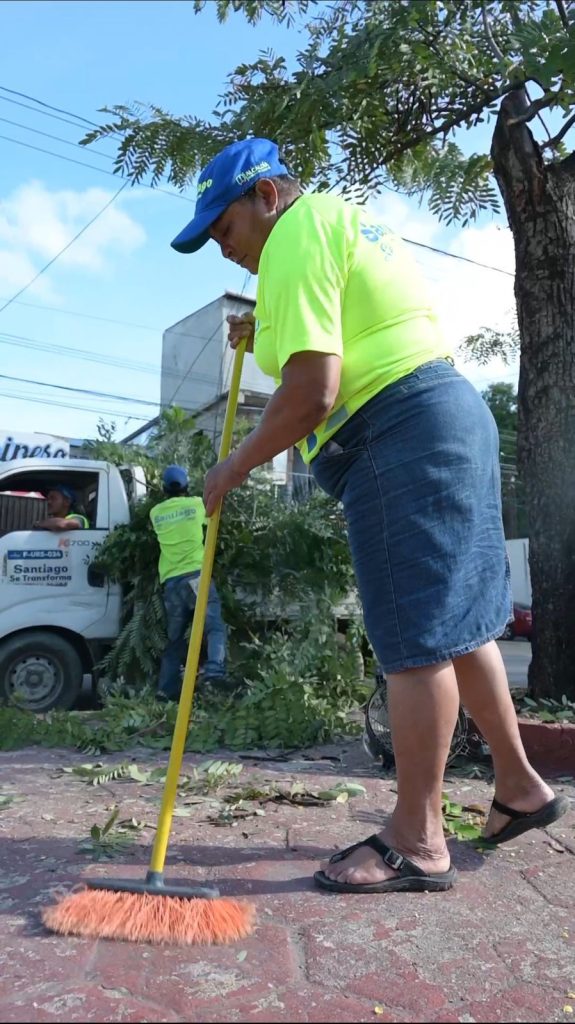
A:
153,910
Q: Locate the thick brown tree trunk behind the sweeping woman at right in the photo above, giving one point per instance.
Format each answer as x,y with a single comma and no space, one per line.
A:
540,200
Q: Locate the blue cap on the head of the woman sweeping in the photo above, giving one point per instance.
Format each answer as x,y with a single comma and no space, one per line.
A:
226,180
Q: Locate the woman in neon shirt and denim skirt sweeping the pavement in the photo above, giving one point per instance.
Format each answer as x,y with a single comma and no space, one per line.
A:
369,392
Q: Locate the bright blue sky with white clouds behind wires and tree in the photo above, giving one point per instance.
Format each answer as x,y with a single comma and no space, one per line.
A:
80,57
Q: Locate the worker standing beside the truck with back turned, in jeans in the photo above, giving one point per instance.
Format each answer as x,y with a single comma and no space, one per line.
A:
180,523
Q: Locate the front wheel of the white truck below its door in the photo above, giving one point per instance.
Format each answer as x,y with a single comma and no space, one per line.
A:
40,671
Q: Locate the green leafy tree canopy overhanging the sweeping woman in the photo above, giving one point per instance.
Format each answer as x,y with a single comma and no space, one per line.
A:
376,95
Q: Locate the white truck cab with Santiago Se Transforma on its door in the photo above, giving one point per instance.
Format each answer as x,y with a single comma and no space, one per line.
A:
58,615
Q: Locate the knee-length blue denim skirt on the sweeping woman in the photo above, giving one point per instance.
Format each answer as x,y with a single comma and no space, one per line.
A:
418,473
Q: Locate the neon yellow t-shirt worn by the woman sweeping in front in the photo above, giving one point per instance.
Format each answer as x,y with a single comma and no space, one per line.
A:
333,279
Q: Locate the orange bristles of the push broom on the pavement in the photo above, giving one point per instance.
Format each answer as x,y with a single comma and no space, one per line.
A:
143,918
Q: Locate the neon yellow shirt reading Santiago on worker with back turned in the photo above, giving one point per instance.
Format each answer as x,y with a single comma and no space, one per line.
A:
179,524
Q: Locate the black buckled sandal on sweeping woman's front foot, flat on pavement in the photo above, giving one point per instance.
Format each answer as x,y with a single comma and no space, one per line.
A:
410,877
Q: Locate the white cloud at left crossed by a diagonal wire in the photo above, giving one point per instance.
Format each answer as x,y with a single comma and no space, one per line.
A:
36,224
